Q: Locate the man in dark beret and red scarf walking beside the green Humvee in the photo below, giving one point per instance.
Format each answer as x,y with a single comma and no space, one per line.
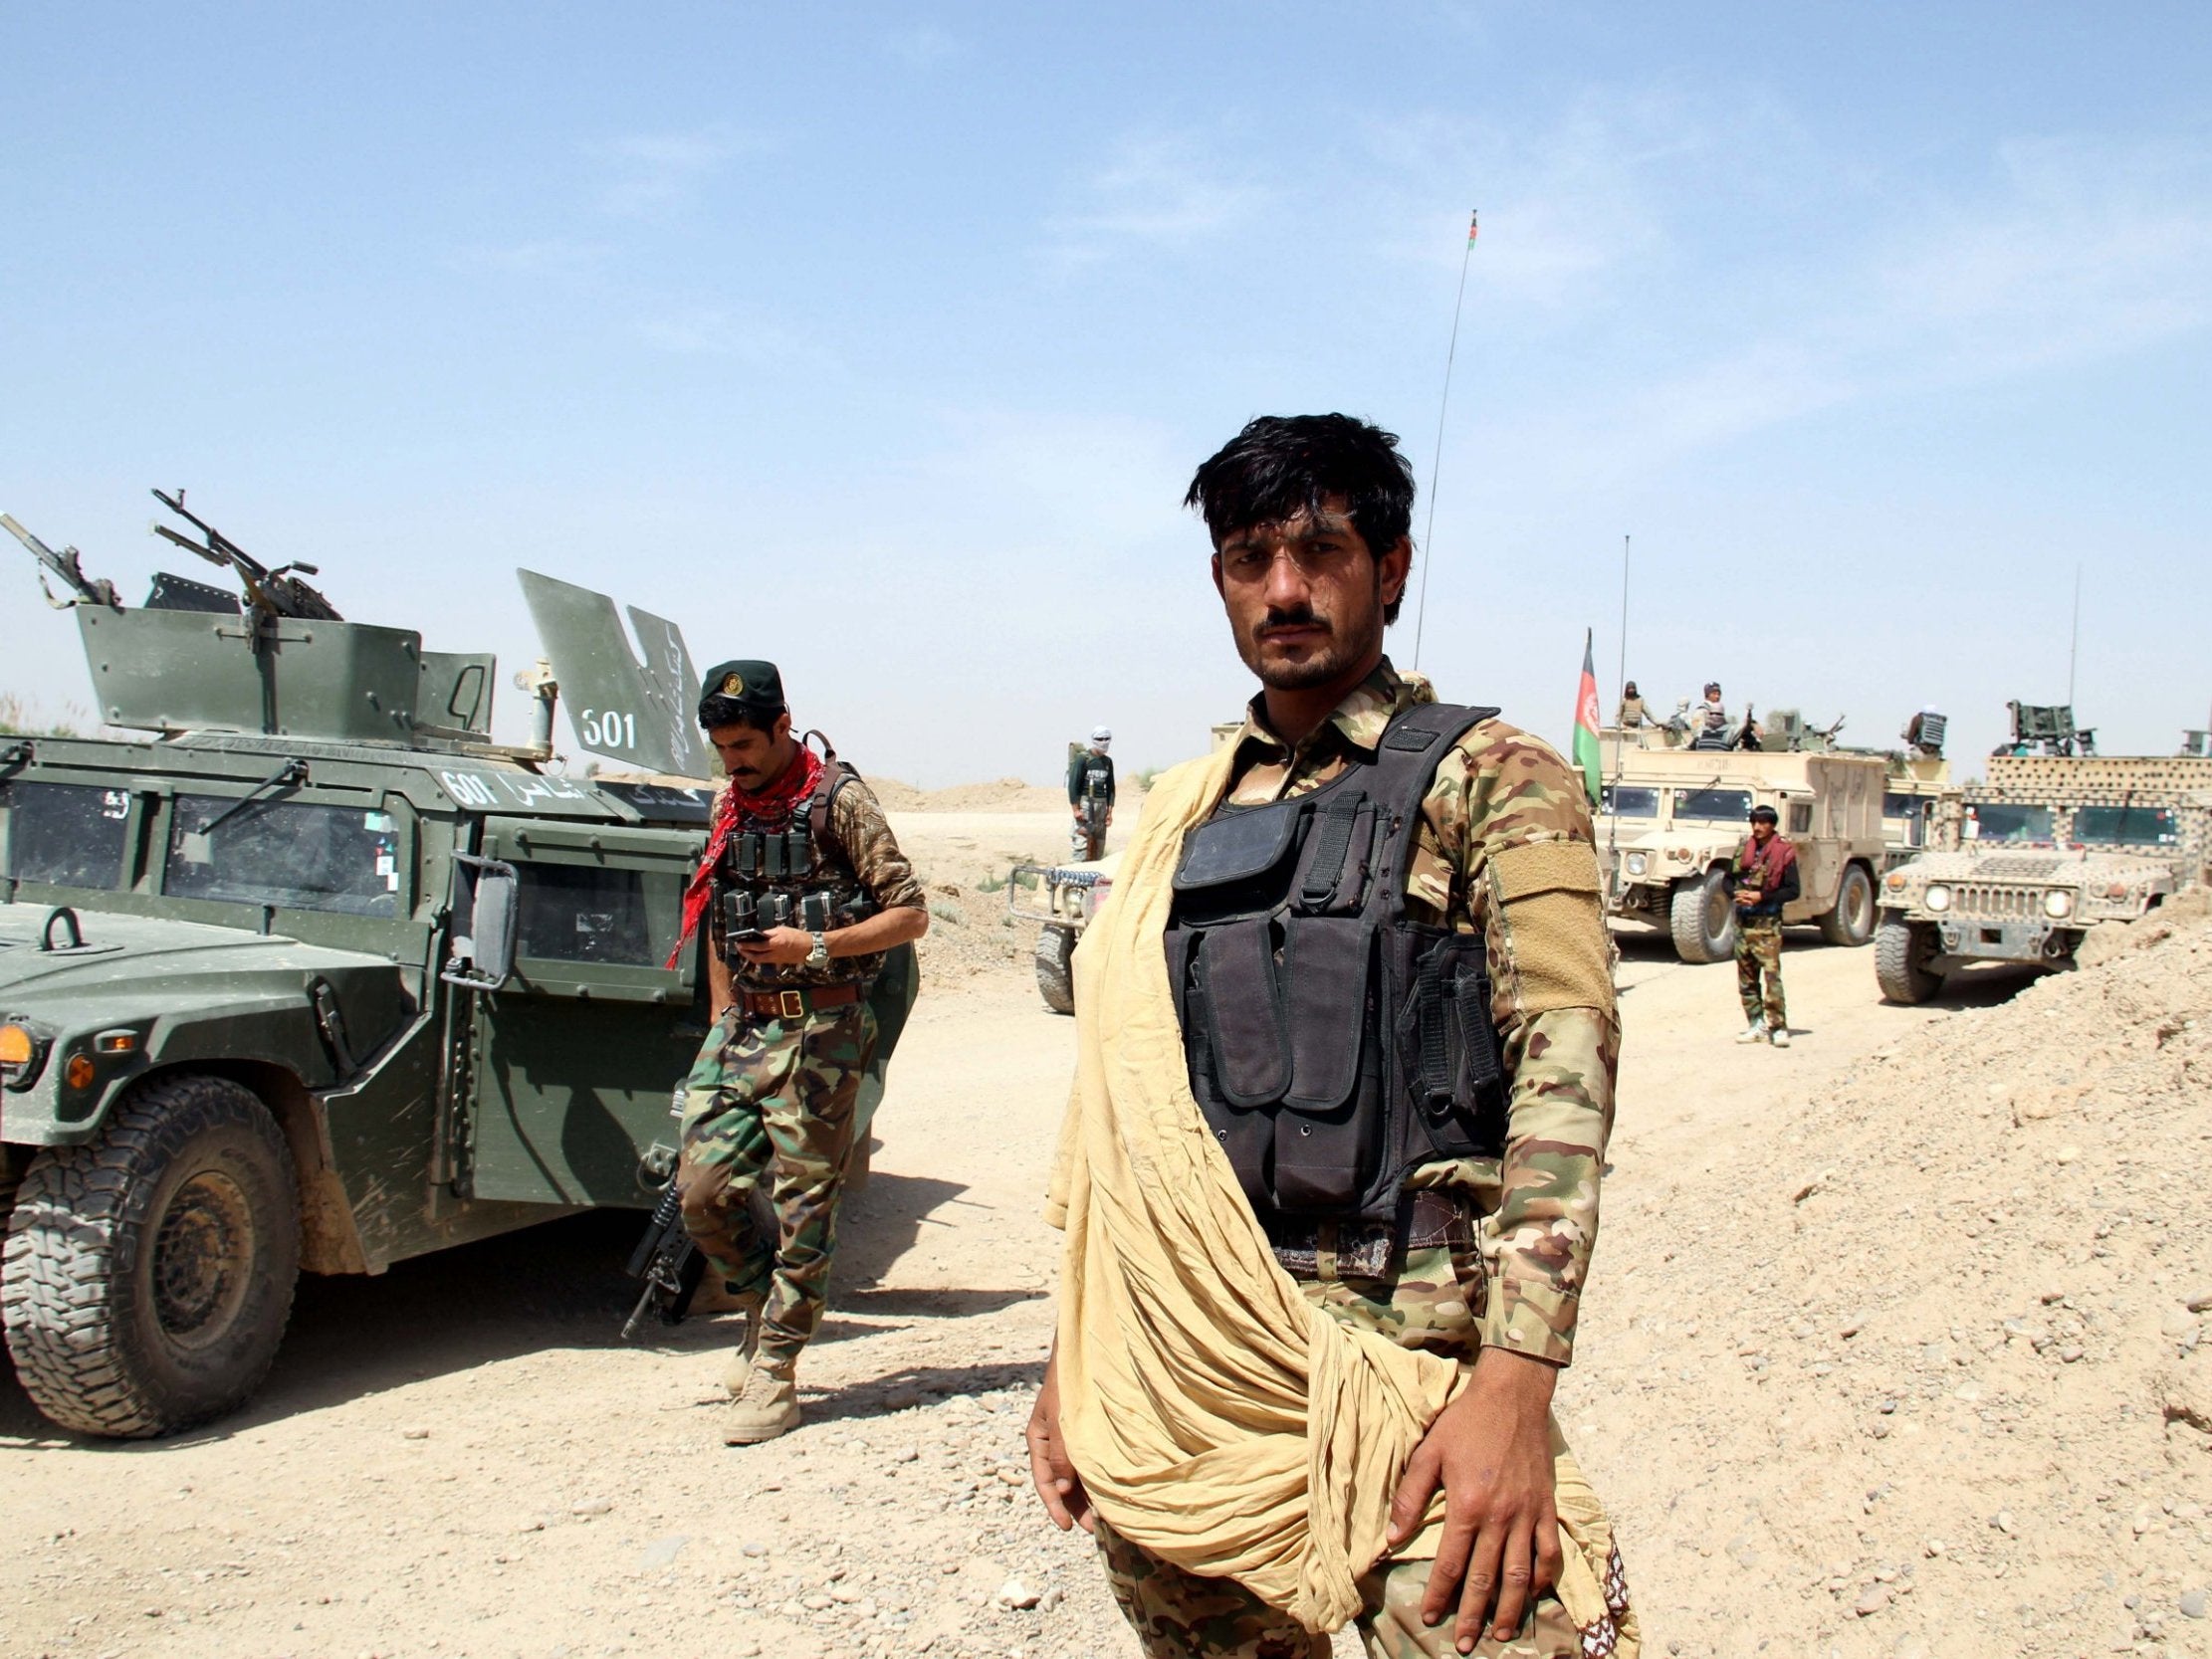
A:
804,890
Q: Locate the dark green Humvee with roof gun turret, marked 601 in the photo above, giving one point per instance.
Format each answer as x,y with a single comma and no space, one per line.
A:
320,977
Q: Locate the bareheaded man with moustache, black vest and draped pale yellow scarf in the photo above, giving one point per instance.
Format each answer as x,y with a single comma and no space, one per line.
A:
1240,1284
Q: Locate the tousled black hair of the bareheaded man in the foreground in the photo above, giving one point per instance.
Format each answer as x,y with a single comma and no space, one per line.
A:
1286,466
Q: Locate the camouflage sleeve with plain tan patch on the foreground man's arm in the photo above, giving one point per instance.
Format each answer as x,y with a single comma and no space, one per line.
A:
1527,879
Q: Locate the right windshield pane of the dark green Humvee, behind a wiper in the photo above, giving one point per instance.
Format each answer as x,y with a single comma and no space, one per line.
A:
286,855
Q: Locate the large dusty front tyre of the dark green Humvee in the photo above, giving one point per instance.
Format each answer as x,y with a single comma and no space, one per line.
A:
149,1275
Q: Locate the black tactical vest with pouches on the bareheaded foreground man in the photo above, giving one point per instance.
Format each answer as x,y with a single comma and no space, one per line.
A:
1333,1043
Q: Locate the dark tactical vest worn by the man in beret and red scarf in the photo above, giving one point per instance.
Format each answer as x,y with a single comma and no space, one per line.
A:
795,875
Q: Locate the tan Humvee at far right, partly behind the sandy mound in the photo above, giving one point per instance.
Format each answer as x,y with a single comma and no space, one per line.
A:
2049,846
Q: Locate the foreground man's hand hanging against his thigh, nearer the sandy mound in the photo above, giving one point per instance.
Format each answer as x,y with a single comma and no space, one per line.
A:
1492,1454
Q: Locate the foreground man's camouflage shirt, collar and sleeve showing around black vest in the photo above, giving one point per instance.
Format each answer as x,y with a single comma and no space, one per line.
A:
1505,851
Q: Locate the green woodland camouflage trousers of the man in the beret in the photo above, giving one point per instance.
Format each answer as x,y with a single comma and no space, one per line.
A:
773,1098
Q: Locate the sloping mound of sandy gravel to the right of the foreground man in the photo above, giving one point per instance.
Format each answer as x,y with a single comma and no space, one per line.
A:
1917,1373
